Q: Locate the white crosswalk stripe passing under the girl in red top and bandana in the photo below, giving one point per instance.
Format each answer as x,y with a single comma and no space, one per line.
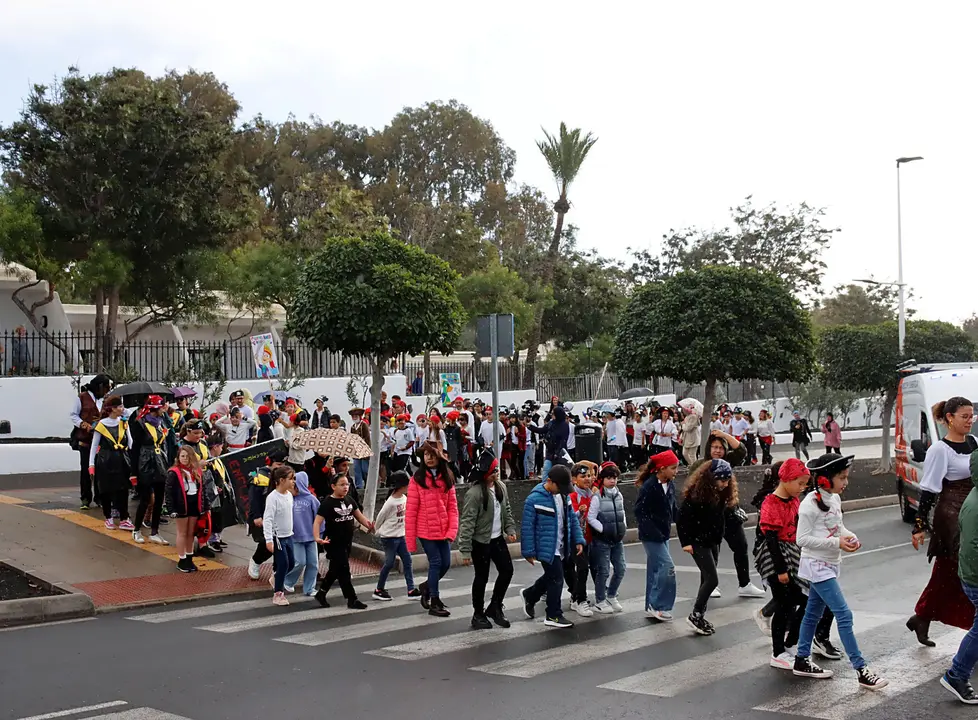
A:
694,672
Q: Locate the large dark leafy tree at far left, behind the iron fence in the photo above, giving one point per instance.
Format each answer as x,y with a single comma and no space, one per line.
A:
133,187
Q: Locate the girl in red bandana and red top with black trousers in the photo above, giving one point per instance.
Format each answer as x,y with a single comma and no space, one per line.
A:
776,559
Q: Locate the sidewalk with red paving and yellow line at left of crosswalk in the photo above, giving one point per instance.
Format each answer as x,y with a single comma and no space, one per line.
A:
43,530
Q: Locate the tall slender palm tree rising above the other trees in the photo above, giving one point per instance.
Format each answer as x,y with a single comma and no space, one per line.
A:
565,154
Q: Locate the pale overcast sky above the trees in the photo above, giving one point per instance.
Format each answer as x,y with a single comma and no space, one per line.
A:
696,105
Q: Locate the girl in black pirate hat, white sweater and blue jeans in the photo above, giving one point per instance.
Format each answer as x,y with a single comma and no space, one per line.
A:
823,538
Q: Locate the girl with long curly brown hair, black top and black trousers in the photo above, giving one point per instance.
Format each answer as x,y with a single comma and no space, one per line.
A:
700,525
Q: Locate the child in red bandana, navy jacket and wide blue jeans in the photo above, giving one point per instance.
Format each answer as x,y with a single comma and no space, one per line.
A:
655,511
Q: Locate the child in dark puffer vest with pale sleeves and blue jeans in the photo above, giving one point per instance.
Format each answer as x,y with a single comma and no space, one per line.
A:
606,516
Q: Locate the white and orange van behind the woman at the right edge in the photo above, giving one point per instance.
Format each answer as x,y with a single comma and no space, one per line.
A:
921,387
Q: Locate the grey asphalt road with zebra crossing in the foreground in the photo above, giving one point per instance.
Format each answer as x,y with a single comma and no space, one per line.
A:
249,659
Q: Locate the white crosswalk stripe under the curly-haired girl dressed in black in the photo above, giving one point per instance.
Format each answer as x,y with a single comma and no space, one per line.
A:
608,646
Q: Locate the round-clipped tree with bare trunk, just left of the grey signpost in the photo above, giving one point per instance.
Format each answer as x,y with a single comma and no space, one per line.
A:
376,297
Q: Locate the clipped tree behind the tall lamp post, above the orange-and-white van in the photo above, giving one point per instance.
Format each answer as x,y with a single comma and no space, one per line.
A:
864,359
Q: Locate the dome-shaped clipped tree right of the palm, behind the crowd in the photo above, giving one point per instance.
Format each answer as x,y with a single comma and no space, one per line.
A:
703,326
